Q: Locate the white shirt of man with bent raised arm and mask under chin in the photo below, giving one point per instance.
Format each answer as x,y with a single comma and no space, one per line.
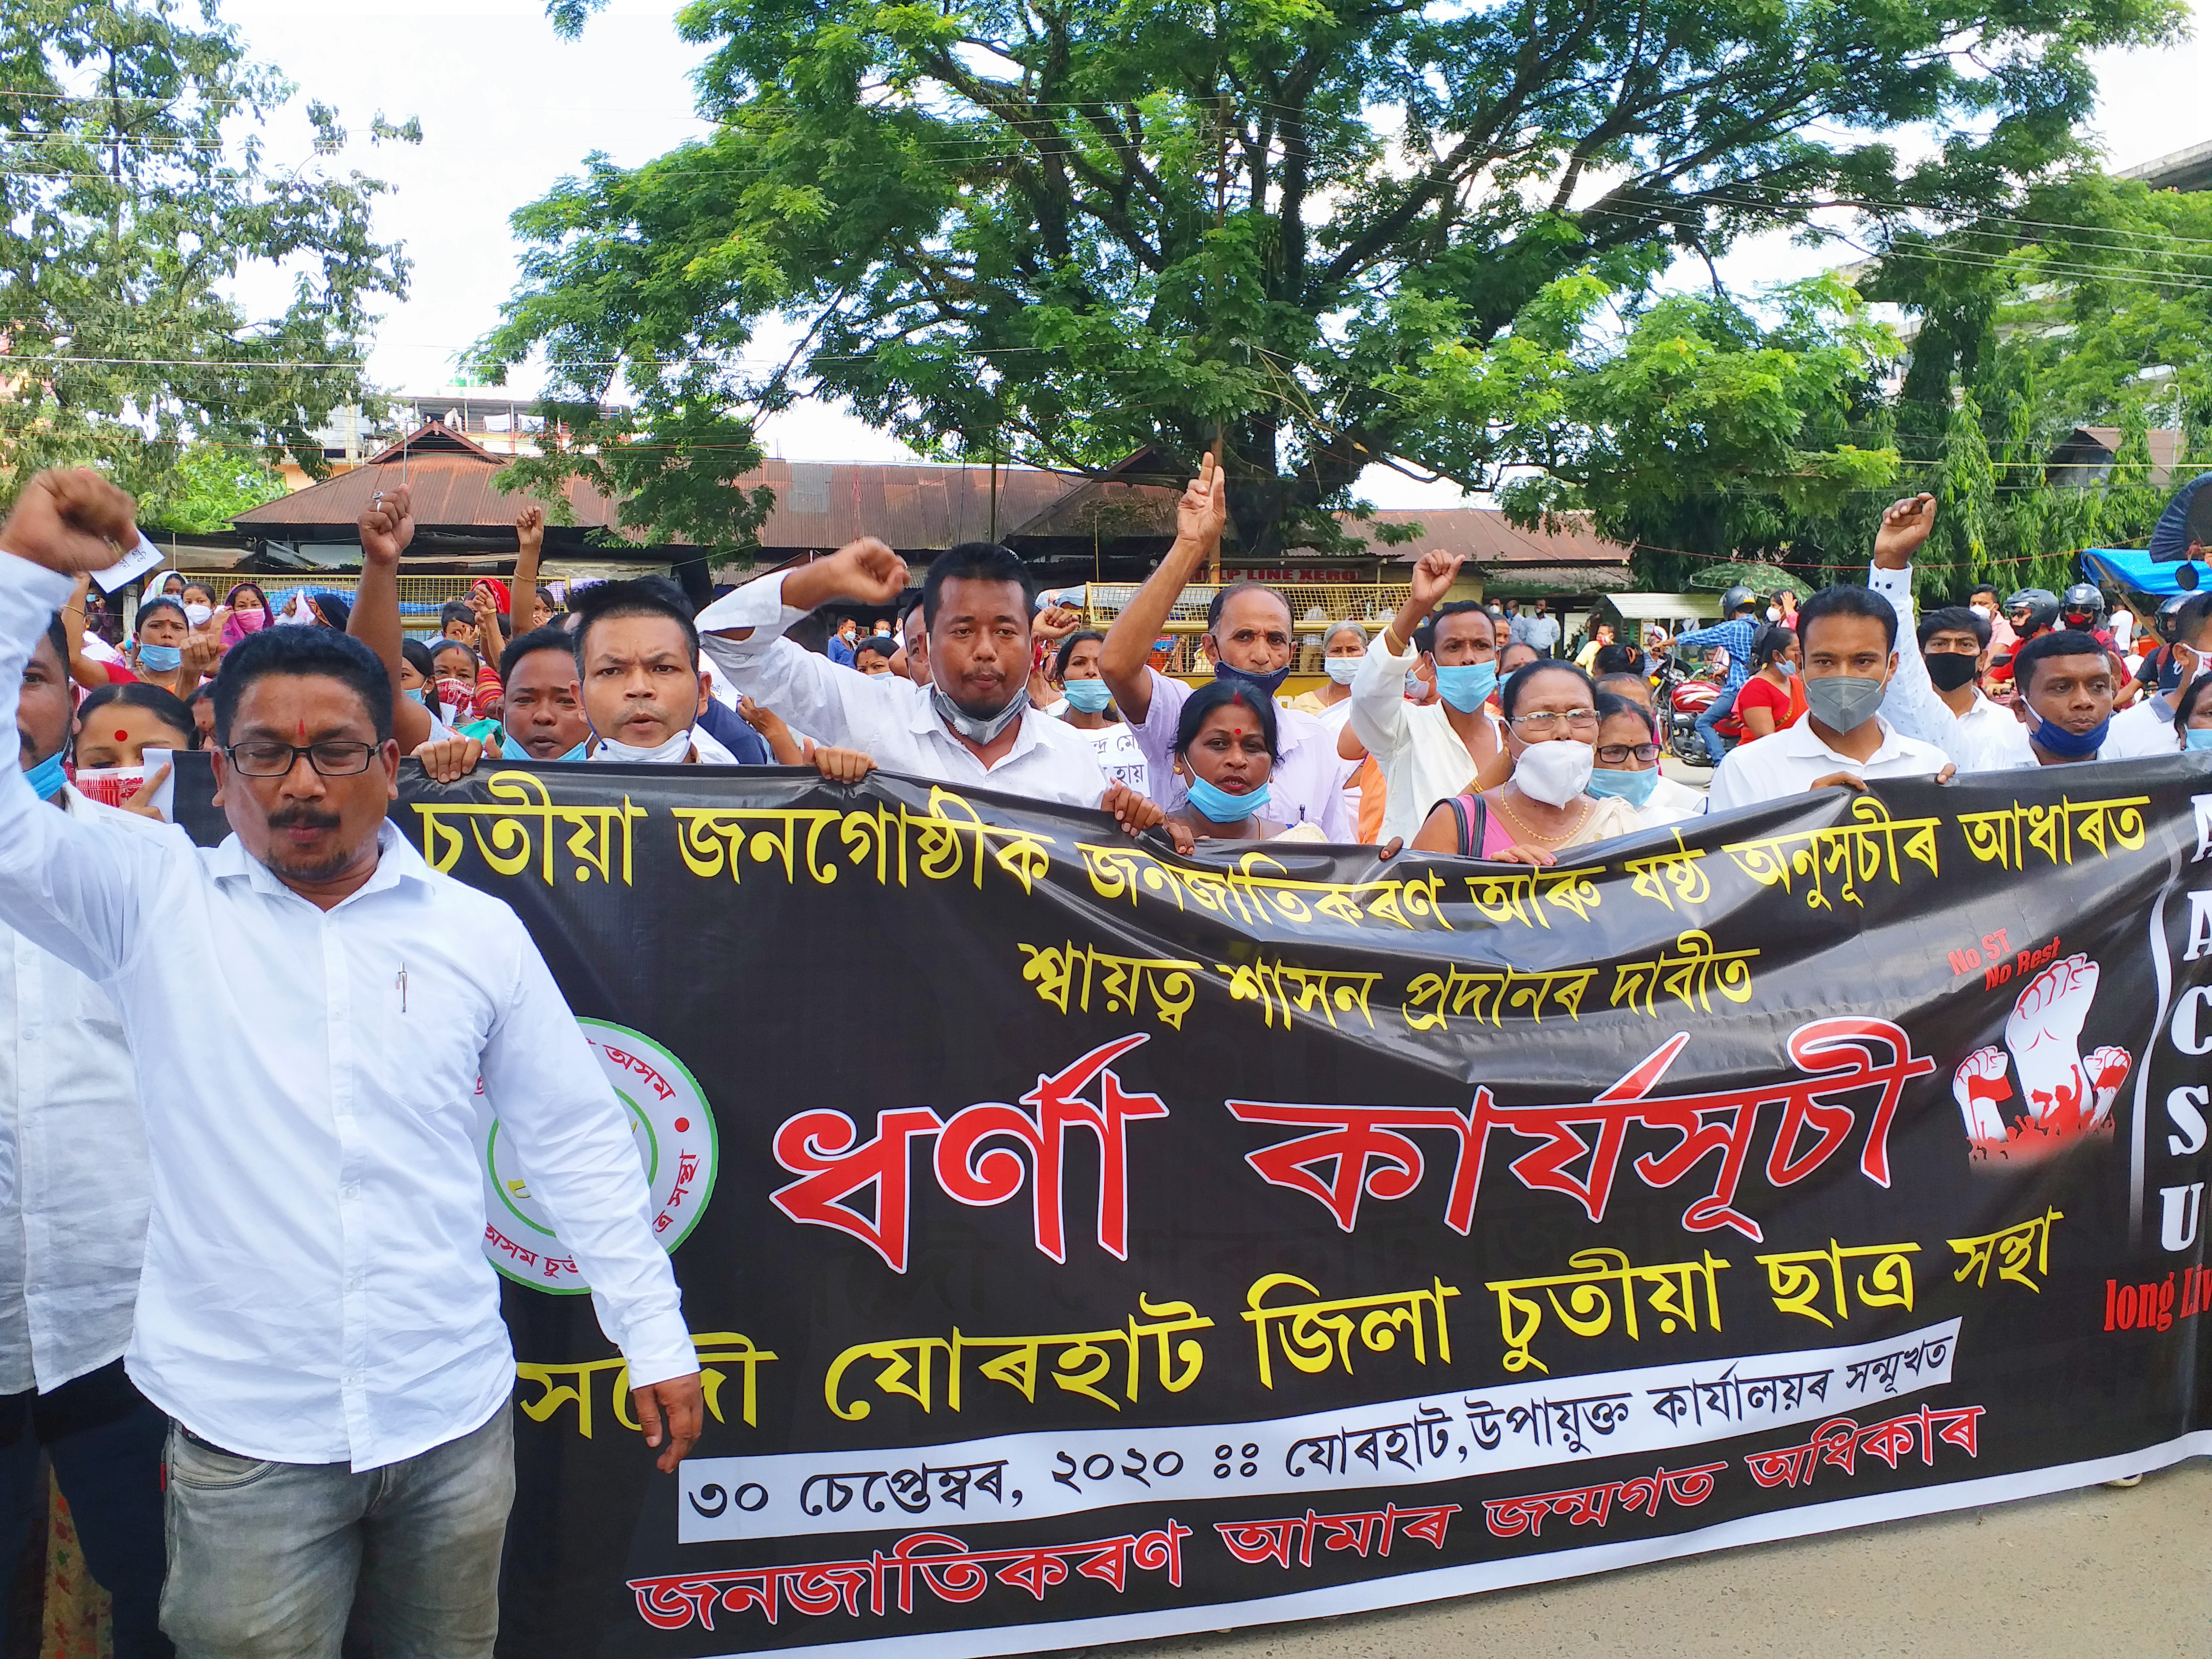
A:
888,718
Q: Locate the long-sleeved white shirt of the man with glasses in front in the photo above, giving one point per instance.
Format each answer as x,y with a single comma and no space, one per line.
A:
315,1286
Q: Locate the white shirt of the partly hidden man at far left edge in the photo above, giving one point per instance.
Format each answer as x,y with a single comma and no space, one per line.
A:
74,1191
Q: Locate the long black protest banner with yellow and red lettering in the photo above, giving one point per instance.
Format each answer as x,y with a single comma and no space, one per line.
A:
1087,1244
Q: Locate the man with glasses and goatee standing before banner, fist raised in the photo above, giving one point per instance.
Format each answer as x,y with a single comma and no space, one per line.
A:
313,1010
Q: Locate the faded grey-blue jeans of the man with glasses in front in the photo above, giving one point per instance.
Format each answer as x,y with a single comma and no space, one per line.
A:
273,1561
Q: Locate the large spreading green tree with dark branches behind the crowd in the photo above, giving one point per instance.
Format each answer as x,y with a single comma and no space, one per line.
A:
1070,229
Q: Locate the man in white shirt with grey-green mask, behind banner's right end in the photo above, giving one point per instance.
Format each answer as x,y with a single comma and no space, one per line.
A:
1850,643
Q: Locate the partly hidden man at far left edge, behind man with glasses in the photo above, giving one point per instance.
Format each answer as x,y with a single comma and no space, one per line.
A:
74,1198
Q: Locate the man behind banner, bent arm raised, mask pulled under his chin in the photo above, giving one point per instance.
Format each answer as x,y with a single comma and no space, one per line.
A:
970,727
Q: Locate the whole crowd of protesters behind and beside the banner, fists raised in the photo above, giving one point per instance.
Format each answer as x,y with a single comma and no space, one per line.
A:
280,1306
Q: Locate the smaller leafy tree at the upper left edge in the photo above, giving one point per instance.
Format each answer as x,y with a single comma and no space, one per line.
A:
134,196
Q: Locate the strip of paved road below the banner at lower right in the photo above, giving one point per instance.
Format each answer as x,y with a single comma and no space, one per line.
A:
2080,1576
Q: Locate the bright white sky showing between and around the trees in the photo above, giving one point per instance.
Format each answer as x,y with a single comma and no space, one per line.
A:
508,109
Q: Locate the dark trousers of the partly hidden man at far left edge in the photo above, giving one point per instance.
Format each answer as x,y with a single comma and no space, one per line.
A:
105,1441
